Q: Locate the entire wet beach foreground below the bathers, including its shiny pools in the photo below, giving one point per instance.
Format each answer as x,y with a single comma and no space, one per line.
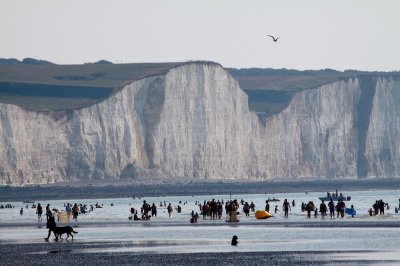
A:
106,243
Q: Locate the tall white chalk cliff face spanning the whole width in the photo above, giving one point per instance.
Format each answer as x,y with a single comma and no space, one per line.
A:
195,122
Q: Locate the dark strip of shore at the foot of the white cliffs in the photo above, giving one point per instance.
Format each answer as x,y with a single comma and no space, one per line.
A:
179,187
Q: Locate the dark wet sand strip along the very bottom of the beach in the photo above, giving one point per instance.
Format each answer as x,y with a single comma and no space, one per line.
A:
74,254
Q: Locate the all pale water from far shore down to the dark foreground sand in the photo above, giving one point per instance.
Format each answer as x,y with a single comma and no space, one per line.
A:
175,234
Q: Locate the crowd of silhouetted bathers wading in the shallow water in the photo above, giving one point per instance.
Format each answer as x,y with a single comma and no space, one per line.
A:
214,209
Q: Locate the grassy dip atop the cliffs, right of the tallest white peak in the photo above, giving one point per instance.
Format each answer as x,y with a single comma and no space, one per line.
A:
271,90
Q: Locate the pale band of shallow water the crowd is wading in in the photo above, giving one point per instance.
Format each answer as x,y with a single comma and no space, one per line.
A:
362,201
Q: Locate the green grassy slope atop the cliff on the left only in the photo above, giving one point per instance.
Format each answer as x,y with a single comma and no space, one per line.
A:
54,87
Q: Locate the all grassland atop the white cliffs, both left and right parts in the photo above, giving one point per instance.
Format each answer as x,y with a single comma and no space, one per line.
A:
42,85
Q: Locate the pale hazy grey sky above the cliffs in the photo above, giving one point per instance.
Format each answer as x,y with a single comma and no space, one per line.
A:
348,34
